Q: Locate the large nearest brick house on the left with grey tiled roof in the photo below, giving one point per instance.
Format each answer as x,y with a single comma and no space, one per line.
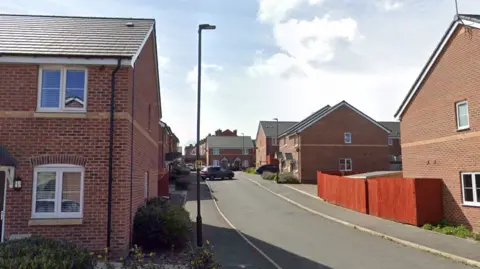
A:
78,125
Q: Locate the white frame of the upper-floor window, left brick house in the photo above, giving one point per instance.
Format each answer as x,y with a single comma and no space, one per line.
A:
63,85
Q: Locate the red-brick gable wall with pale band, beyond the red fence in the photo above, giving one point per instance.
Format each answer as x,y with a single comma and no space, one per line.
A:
322,144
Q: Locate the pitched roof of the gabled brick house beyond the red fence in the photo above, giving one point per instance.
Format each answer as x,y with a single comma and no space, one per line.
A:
315,117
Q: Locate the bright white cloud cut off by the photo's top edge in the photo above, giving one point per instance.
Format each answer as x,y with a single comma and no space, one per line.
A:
276,10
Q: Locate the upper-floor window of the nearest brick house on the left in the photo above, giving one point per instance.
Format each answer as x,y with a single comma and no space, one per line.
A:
62,89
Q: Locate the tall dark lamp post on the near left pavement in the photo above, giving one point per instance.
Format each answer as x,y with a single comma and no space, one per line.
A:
199,87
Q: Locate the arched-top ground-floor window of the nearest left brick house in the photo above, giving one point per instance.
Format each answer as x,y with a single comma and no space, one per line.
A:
58,191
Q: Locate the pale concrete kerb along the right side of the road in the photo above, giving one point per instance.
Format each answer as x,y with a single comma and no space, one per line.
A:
372,232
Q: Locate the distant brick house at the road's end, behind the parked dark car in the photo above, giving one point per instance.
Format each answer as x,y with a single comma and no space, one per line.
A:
229,150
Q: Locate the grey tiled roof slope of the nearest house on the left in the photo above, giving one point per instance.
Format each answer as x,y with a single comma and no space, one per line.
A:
72,36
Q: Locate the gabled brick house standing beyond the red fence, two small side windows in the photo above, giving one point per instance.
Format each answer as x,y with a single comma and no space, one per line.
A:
339,139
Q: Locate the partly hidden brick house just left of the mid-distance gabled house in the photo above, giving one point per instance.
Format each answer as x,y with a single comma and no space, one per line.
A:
266,140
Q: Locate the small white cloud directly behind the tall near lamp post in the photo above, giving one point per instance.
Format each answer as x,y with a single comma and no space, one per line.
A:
209,83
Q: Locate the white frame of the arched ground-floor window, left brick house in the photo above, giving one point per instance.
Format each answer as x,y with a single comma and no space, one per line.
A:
59,169
